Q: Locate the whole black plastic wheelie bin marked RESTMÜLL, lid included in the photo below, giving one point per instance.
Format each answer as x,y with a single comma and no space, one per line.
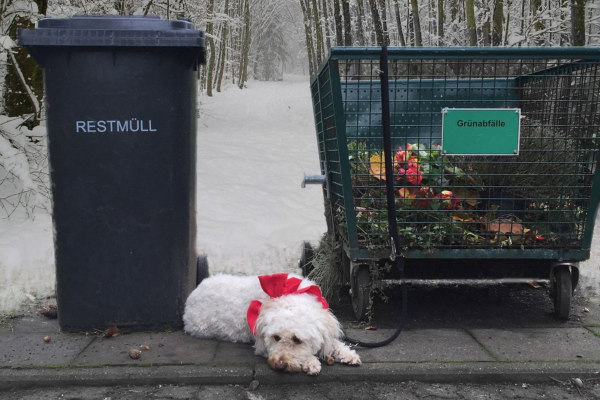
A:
121,116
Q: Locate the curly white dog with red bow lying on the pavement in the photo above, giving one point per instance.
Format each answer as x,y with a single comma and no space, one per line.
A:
291,324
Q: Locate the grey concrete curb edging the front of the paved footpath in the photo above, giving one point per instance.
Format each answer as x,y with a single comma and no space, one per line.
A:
478,372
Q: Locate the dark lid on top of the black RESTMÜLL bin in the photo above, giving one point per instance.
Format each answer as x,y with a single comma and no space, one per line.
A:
112,31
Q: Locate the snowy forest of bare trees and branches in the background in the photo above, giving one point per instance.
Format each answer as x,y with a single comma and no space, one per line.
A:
262,40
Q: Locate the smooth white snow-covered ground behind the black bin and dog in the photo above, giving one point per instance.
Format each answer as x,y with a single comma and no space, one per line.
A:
253,147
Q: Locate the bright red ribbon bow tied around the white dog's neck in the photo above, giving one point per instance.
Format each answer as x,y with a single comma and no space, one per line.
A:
278,285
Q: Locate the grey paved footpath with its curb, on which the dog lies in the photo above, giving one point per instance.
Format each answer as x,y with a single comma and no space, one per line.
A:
520,355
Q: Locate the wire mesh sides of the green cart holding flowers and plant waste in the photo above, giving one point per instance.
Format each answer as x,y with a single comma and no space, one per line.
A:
540,198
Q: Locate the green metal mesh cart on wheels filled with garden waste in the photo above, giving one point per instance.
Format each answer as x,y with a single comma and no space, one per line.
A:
495,162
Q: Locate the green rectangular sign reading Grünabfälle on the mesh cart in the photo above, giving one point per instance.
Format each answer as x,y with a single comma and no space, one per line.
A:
481,131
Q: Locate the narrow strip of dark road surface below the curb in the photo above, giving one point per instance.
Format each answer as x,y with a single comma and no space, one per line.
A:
334,391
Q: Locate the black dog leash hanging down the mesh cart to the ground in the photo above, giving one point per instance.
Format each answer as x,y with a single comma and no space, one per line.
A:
397,259
